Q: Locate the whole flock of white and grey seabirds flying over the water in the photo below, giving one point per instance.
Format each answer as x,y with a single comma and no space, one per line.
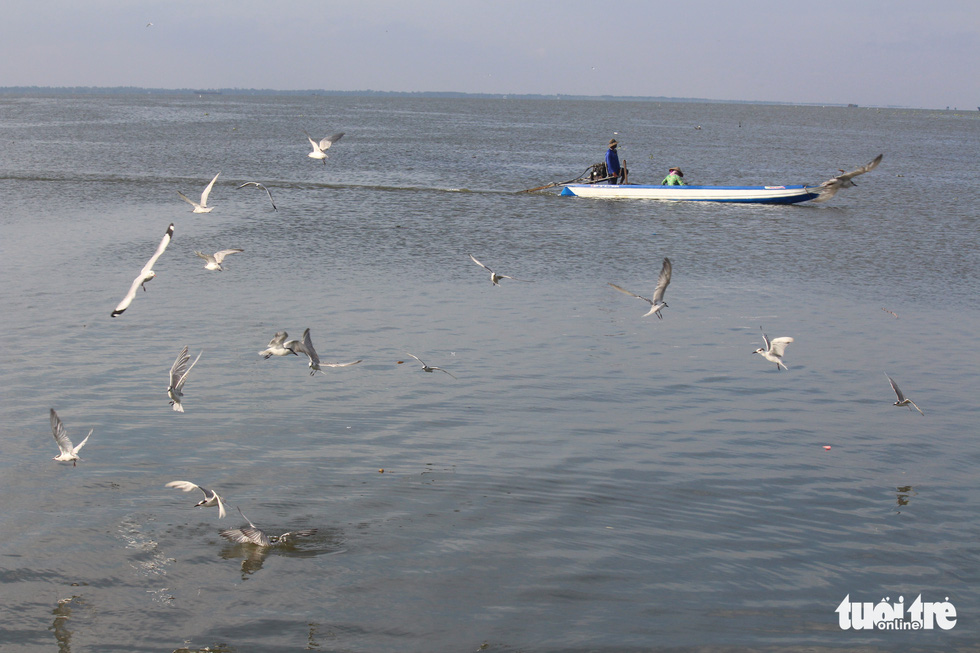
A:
773,350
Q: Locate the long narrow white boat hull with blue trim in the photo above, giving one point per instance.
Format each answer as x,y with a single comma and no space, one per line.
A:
744,194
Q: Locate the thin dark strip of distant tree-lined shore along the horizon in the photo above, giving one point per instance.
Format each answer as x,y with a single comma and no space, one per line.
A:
135,90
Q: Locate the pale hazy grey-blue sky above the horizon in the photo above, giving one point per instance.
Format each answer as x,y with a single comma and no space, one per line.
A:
875,52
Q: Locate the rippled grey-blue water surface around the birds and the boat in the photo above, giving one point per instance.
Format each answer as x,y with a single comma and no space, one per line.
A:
590,480
